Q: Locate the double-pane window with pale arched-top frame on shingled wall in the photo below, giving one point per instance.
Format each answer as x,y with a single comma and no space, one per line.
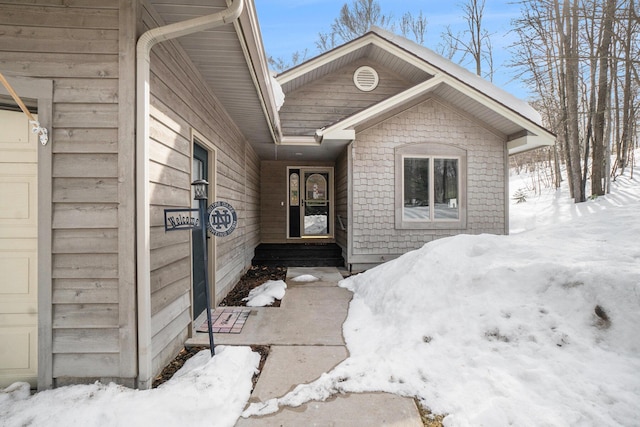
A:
430,186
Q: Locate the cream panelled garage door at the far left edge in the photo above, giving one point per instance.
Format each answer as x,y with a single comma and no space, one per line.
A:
18,250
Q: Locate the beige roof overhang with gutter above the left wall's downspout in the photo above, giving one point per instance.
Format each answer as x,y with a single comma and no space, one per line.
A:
232,61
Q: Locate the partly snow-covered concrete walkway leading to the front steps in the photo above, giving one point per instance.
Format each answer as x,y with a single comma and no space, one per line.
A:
305,335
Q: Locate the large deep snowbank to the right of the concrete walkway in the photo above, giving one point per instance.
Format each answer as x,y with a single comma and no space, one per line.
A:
540,328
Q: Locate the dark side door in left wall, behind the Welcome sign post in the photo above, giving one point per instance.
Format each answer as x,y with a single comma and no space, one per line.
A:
200,171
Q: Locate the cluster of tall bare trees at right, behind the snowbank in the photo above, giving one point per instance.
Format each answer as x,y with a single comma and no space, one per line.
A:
582,57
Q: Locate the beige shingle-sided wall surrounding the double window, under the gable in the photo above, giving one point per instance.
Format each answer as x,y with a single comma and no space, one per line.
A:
375,238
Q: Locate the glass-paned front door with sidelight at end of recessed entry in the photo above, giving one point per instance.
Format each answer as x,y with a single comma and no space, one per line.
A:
310,202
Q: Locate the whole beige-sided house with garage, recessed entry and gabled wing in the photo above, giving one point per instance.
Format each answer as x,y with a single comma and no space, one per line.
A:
380,146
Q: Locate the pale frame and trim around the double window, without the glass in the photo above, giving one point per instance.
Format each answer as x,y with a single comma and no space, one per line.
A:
431,151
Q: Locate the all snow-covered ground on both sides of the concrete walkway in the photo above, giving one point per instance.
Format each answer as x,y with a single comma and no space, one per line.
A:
540,328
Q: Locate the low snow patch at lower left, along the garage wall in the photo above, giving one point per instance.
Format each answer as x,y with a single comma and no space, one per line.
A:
206,391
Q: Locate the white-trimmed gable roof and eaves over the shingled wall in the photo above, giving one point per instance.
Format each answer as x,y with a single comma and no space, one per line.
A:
433,75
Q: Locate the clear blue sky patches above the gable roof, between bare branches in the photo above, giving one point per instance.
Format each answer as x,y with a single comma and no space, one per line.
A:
293,25
